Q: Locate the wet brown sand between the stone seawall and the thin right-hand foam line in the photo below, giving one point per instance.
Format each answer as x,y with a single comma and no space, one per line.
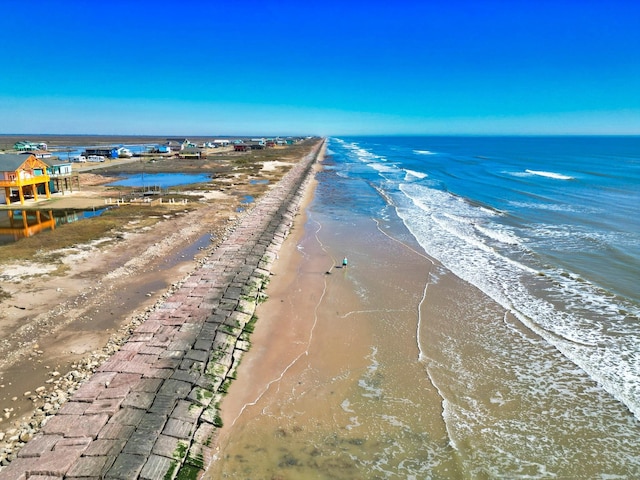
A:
327,337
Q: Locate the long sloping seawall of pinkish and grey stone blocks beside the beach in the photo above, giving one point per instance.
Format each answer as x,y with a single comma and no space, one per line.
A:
151,410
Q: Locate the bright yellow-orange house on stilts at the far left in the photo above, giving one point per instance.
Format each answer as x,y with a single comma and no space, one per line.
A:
23,173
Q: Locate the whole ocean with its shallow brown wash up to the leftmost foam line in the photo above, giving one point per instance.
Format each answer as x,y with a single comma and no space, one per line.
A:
490,316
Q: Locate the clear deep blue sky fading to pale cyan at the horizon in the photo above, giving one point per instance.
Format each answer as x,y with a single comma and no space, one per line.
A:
320,67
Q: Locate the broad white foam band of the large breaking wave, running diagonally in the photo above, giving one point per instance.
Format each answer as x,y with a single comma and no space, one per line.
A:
447,230
